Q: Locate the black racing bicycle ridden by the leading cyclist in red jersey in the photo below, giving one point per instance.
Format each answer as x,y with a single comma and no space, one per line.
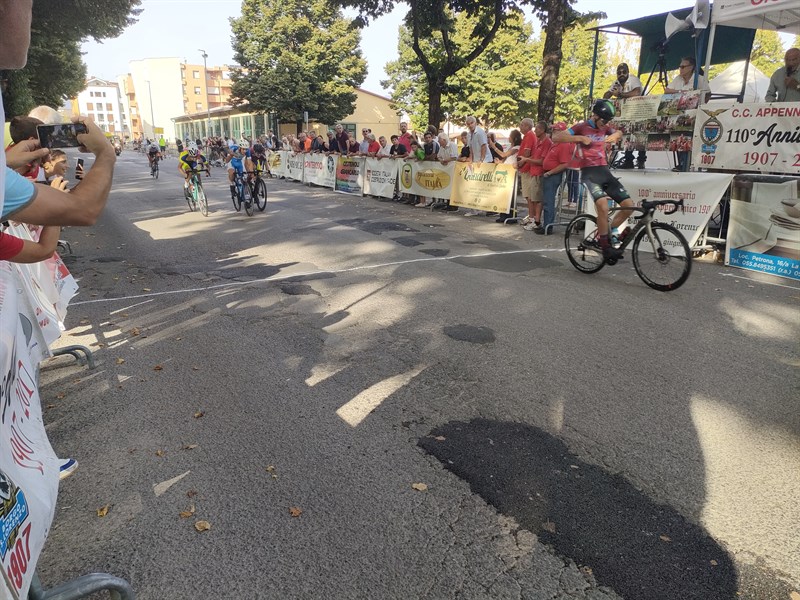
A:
661,255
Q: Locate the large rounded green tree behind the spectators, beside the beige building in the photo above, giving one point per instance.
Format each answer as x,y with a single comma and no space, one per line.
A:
296,56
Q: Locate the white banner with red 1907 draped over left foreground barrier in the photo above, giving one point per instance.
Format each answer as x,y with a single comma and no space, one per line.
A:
28,466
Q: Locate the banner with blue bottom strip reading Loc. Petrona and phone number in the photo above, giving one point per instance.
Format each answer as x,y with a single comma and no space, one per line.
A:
764,227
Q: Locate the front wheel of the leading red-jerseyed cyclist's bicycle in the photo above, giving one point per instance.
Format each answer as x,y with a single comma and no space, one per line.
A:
663,262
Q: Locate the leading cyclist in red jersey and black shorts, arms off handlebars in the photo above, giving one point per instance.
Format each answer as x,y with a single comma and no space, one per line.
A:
592,135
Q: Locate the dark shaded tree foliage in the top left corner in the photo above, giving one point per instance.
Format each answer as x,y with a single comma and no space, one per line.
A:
55,69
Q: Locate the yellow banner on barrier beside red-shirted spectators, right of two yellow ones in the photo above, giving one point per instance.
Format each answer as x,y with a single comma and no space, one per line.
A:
483,186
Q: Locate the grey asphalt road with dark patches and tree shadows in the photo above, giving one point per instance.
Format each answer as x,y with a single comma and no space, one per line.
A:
367,400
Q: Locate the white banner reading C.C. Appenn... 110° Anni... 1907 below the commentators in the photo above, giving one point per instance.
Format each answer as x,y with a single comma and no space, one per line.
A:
761,138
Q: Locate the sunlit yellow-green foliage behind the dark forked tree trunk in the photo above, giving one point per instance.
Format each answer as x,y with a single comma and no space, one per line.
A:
499,87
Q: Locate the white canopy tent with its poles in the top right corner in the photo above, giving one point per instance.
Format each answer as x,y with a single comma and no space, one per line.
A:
779,15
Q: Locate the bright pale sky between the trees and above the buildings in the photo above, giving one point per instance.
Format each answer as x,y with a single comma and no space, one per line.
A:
168,28
